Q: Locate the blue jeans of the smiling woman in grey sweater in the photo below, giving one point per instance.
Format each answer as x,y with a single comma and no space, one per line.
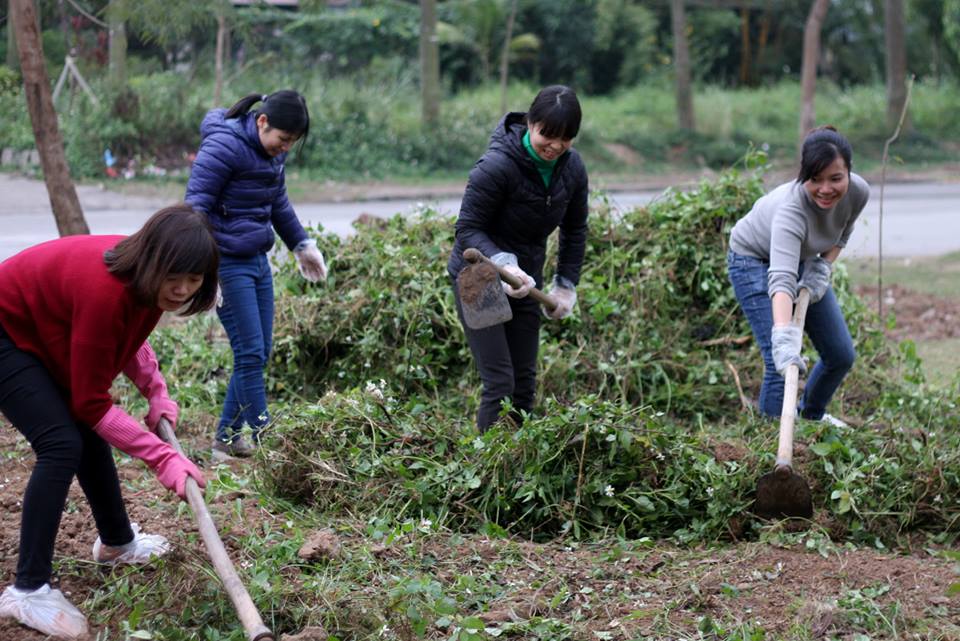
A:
824,325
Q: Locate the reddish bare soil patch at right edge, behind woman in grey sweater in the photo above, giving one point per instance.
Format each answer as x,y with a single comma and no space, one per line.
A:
920,316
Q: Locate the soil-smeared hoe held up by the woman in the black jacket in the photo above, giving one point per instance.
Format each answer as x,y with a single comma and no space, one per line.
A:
492,307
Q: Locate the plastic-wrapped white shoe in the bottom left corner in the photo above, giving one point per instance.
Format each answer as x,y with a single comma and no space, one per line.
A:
45,610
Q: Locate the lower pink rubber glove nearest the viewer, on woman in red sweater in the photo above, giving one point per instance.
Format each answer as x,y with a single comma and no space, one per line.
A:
124,433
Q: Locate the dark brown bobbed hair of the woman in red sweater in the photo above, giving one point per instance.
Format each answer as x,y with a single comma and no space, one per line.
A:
175,240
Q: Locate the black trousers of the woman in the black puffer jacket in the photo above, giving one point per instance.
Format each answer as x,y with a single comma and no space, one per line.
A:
506,357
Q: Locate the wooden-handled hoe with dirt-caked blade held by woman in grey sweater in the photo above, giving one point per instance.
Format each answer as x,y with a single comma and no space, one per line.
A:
783,493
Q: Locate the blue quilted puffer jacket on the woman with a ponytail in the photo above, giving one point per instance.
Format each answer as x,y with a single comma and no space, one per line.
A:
241,188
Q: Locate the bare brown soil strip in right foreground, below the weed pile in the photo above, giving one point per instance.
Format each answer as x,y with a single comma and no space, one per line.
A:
643,592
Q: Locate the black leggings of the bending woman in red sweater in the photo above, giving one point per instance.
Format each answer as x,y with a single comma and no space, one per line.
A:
32,401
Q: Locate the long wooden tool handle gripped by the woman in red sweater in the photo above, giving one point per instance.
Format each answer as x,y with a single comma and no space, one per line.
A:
242,603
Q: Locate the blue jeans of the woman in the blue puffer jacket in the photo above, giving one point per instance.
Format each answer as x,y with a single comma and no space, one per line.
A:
247,315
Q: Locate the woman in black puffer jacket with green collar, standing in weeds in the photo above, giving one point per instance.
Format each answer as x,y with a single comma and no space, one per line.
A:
529,182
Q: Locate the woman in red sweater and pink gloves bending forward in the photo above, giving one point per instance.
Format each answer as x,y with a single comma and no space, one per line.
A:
74,313
